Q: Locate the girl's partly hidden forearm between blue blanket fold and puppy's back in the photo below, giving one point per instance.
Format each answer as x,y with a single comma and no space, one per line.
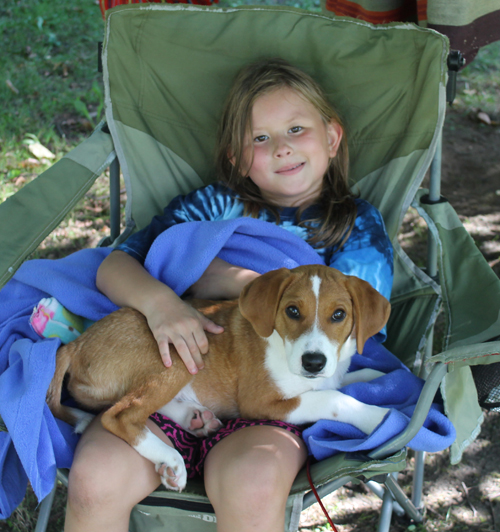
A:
221,280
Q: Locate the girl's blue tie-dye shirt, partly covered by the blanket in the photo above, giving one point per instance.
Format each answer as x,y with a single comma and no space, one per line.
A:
367,254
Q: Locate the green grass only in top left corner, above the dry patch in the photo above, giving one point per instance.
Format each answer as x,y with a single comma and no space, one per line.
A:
49,63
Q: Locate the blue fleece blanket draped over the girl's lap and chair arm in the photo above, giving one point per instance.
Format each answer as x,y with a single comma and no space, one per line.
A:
36,443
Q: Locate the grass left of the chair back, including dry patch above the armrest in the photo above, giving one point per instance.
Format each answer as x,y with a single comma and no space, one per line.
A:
50,86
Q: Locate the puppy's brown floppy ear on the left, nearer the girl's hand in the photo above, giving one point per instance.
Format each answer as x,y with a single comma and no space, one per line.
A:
259,300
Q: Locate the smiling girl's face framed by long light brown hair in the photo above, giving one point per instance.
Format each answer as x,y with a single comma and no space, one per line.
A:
291,147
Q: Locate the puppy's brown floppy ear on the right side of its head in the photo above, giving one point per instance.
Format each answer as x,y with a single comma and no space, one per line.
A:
371,310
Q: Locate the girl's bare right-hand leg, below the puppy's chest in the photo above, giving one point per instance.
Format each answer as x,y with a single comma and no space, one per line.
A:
248,476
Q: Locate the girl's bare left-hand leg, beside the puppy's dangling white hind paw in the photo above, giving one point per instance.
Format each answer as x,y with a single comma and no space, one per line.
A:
107,479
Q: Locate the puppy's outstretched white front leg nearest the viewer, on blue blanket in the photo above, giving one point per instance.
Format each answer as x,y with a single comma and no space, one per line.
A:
336,406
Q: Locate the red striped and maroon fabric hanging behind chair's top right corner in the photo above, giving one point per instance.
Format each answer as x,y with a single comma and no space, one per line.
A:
468,25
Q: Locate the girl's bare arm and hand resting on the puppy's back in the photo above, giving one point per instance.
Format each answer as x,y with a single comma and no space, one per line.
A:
125,281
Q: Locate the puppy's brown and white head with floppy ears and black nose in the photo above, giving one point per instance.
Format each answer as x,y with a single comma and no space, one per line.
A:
321,315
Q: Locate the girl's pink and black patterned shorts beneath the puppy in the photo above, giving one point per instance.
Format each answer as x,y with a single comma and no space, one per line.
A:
194,450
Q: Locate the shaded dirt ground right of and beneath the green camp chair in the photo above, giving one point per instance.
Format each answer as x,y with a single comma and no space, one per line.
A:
466,496
